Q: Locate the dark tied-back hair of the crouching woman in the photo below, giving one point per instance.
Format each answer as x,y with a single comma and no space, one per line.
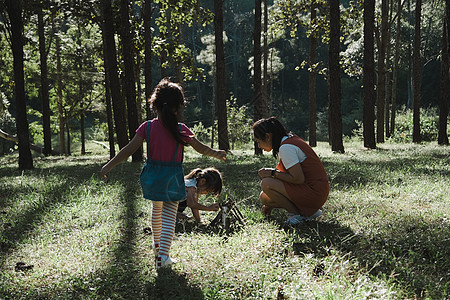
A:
273,126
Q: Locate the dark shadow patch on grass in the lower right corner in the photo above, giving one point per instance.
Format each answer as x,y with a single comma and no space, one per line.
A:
412,253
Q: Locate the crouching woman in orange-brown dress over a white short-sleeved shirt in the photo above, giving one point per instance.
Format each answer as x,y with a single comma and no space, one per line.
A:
299,183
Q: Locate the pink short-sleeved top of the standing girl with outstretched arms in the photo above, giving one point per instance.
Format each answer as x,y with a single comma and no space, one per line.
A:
162,143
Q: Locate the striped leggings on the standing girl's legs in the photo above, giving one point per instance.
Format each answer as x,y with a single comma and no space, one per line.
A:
164,216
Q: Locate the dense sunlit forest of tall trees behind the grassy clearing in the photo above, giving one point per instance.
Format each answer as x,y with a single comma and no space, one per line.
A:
67,45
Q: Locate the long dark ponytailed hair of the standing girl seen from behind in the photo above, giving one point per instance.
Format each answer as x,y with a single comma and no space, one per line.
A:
168,98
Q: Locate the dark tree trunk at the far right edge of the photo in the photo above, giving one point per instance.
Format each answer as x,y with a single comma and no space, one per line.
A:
443,105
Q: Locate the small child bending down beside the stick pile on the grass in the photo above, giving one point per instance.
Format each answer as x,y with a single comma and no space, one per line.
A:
200,182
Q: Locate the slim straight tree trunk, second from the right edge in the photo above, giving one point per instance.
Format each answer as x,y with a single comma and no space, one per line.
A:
416,74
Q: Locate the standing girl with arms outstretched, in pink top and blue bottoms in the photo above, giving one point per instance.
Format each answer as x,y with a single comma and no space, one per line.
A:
162,176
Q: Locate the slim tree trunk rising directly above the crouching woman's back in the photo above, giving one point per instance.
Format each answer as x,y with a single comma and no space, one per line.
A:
312,82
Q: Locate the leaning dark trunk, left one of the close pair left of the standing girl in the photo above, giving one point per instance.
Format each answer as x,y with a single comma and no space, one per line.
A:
109,47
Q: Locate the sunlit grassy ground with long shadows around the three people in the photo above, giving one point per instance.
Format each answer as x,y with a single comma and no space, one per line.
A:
384,233
